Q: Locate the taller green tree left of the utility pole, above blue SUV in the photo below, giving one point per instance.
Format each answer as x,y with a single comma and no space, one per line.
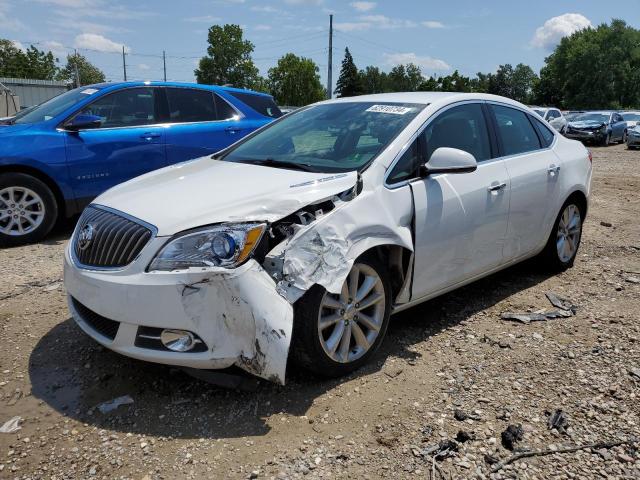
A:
228,59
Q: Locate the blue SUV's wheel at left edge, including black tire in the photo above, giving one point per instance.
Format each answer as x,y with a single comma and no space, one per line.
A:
28,209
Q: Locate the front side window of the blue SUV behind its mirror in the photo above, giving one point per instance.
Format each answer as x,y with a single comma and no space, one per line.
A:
125,108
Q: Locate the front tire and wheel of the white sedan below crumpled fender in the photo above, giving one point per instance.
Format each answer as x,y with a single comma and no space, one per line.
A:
333,335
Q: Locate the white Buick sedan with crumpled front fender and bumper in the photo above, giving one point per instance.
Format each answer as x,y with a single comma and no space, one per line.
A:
300,240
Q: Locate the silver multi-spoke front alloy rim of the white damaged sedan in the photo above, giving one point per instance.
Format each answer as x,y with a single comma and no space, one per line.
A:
349,323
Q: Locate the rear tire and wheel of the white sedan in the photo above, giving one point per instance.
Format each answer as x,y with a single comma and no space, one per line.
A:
563,243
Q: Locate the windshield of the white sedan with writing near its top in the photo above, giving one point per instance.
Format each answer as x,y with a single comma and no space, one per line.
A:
334,137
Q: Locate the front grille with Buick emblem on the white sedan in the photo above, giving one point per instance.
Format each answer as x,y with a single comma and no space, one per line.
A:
115,241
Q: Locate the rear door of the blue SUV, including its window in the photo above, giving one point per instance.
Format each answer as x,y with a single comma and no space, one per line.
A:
200,123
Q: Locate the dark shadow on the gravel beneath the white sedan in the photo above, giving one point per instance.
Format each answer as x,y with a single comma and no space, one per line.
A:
73,374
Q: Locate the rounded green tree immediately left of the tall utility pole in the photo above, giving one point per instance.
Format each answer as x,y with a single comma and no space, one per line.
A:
295,81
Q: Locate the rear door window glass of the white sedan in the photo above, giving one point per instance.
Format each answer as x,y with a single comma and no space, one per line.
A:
515,130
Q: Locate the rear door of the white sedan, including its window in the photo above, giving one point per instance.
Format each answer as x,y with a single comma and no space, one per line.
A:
534,170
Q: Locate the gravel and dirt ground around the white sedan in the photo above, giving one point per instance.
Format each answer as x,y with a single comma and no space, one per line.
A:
401,417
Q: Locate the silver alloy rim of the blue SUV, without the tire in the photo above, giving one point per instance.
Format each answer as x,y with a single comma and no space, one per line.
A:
21,211
